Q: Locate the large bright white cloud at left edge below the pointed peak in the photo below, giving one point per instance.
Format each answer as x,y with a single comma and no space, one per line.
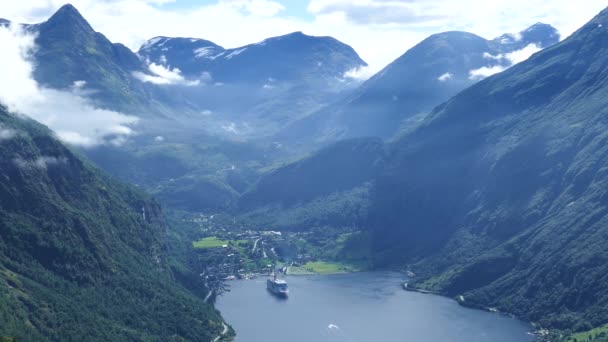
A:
71,116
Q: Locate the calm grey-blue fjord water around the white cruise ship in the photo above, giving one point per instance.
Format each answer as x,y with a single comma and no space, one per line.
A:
358,307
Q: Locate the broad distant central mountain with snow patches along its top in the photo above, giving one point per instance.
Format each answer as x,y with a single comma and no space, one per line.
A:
258,89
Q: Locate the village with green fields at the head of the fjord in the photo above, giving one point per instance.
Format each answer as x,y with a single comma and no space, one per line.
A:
229,251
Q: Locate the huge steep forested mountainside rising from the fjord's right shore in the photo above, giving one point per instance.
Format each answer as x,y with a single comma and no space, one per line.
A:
500,194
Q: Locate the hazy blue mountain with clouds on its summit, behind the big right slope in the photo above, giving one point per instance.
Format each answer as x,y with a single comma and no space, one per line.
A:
406,90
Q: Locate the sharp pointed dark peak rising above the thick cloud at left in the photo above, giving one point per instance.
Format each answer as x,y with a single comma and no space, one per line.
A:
69,50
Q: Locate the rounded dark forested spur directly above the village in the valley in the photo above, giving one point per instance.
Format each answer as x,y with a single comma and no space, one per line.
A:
329,187
